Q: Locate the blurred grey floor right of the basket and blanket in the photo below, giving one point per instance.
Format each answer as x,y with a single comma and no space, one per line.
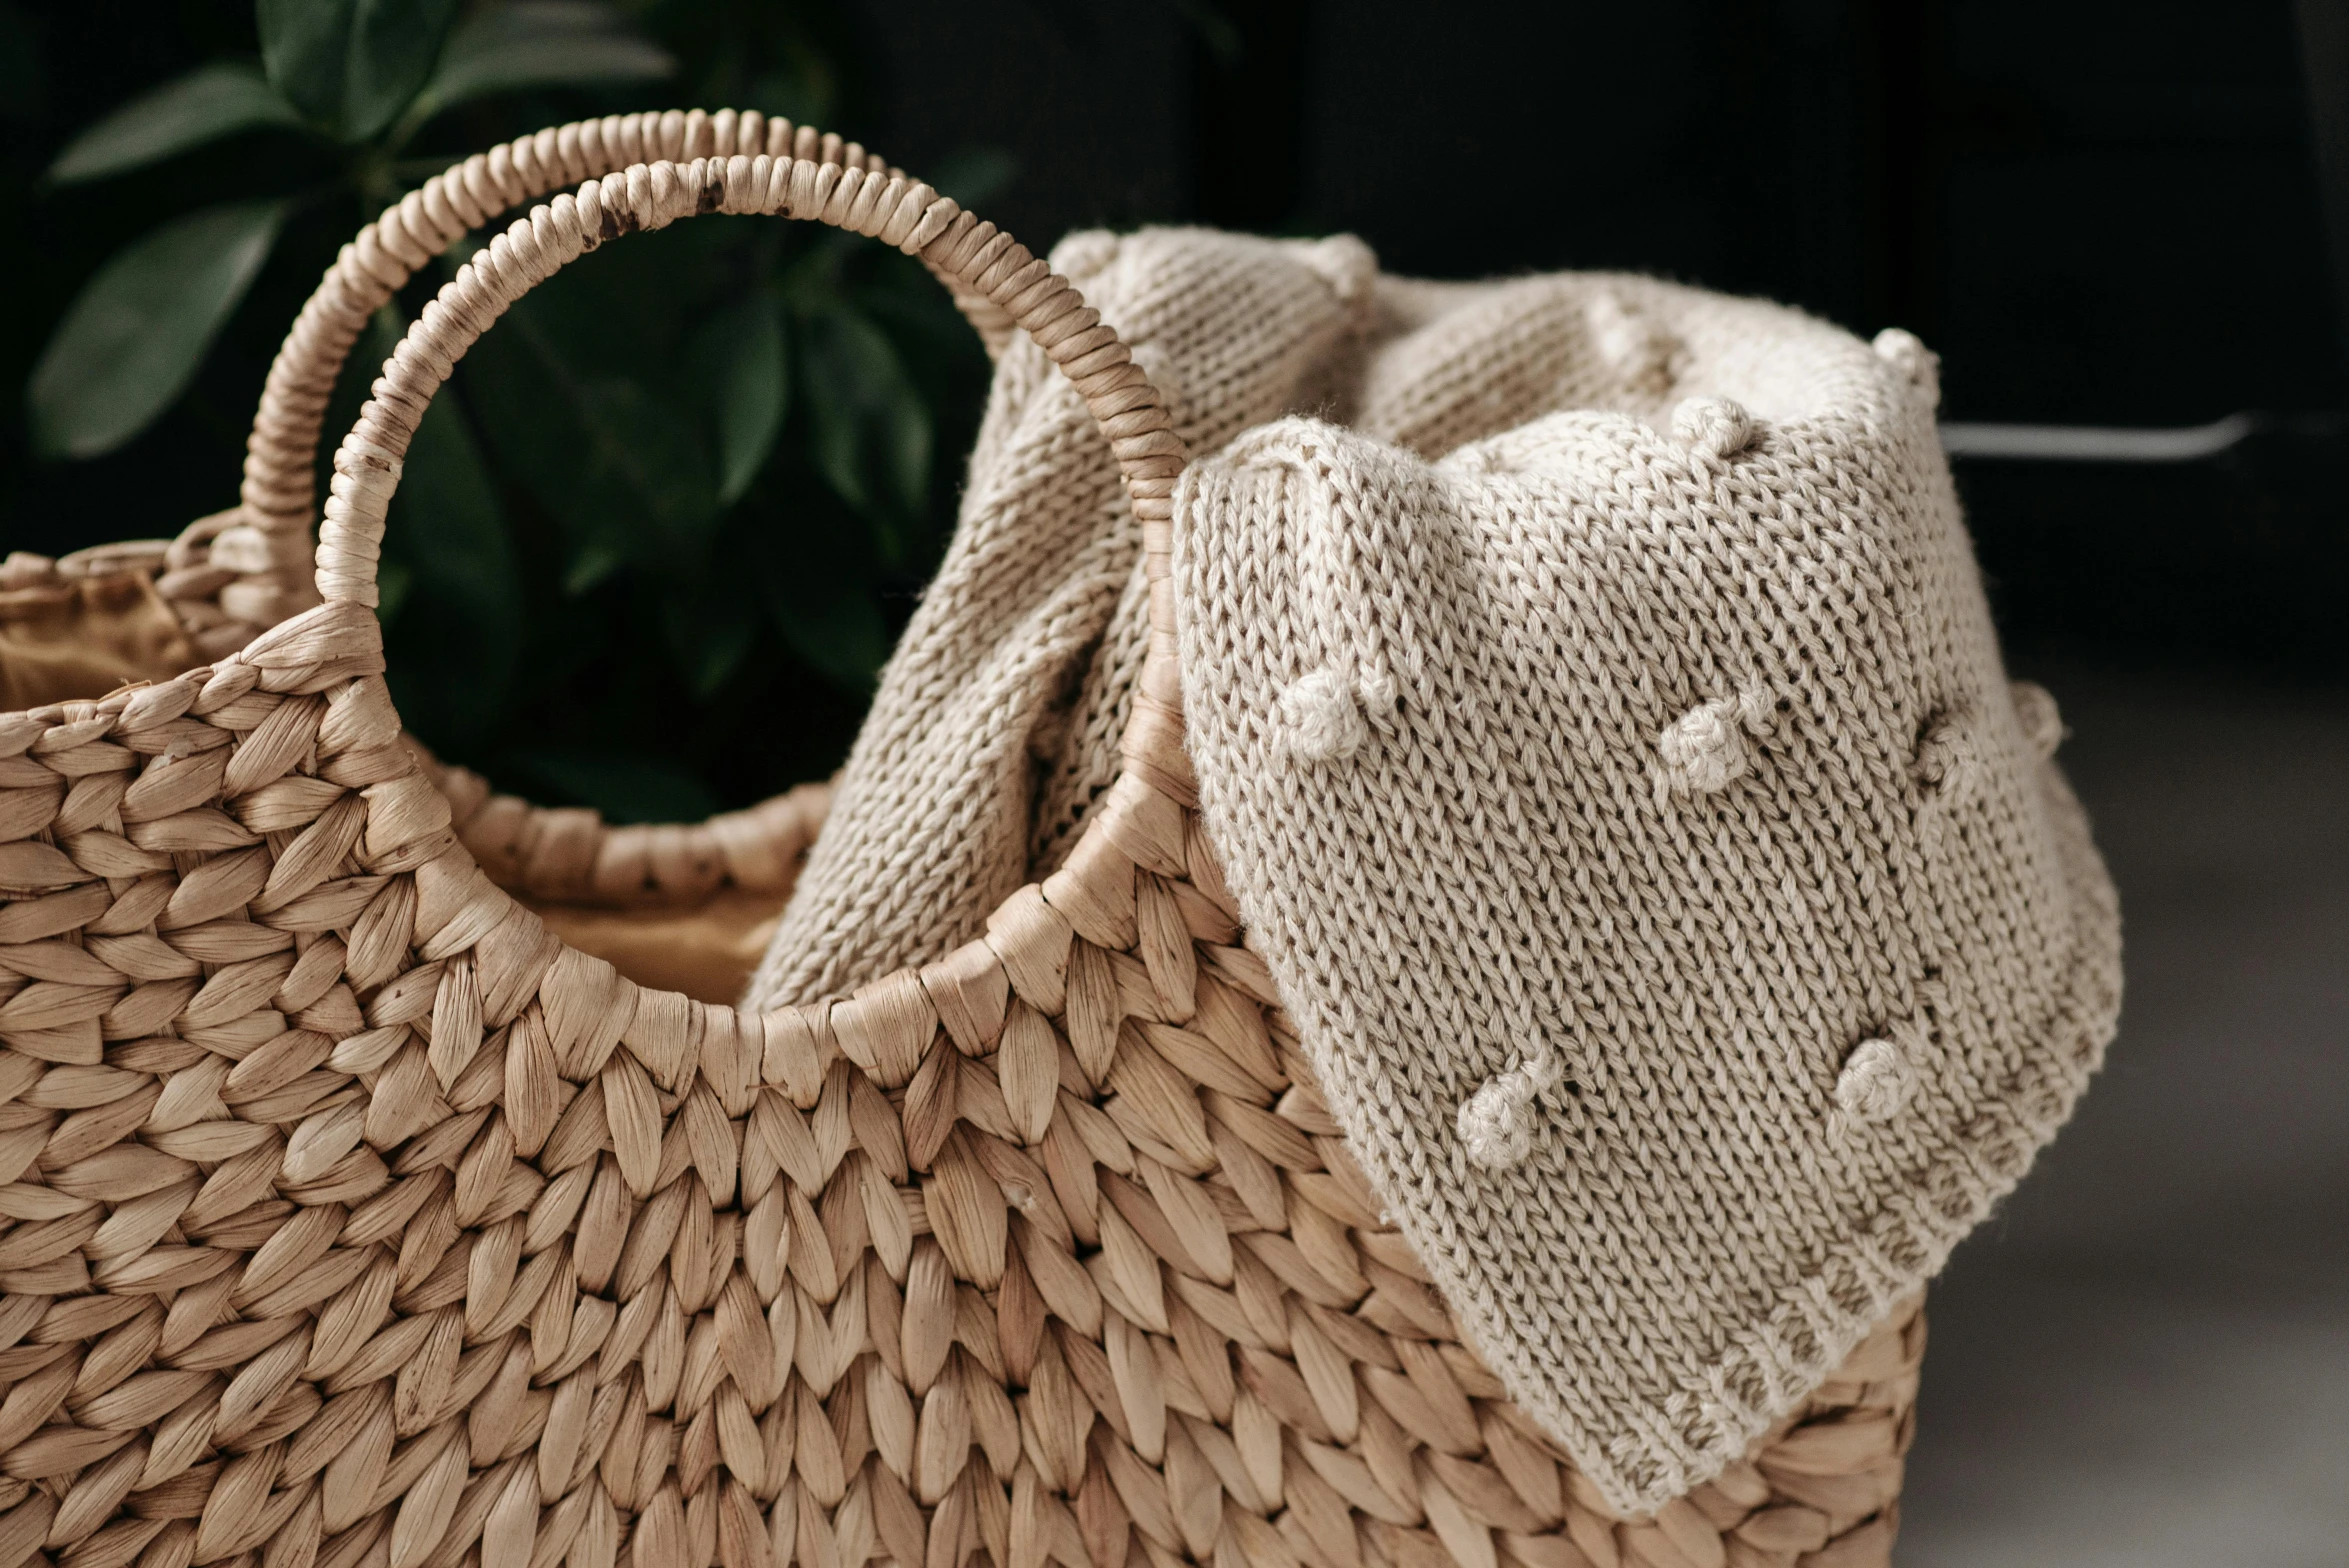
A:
2146,1358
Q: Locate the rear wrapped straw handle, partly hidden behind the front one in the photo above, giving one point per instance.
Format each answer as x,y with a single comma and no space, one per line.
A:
267,539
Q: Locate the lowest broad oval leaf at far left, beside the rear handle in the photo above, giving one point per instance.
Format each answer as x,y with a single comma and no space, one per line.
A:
135,334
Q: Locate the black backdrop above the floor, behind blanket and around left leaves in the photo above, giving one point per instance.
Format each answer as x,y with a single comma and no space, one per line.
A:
2096,212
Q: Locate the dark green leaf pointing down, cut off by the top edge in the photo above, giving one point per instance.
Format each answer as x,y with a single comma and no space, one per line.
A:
351,65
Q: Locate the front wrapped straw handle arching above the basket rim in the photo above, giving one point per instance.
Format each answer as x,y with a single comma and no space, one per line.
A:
969,252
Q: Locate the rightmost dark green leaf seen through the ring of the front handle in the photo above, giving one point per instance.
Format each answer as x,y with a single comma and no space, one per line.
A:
868,428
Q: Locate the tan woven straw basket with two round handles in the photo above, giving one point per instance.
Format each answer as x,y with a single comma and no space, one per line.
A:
356,1219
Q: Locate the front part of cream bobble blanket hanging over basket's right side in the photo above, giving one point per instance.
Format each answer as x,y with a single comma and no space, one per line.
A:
1469,886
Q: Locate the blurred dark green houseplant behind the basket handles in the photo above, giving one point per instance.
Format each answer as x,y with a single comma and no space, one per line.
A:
692,480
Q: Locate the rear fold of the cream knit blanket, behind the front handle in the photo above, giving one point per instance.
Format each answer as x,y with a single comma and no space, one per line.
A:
997,719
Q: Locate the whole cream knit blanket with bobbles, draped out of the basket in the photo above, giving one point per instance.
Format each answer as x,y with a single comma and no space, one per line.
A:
1615,769
